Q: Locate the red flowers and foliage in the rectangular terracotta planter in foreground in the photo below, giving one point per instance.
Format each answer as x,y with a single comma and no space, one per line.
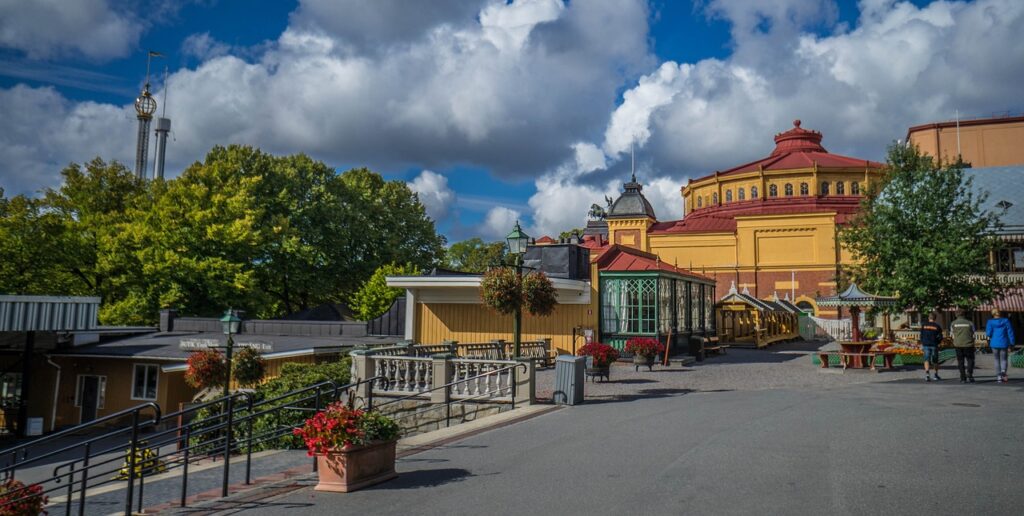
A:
338,426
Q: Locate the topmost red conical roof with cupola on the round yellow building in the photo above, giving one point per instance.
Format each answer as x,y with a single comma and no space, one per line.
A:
798,149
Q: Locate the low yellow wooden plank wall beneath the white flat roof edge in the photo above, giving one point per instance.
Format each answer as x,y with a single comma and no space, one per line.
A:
475,323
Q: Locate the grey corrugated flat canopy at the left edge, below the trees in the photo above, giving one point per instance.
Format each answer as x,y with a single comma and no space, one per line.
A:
49,314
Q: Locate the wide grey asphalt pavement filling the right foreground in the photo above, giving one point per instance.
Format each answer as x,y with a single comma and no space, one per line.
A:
900,447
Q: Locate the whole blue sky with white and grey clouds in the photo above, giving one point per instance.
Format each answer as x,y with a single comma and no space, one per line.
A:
497,111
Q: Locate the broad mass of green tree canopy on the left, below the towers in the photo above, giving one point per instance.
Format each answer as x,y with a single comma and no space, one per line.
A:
242,229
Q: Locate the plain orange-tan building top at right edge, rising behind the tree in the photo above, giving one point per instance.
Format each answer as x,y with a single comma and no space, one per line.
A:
982,143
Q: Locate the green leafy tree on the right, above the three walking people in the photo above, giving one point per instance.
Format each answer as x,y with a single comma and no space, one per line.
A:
923,235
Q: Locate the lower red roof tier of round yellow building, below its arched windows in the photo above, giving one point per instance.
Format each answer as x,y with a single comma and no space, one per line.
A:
723,219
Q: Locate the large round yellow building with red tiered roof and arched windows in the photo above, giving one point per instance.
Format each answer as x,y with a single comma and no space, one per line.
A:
769,226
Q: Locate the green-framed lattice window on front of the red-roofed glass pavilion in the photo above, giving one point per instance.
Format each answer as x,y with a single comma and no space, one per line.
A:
628,306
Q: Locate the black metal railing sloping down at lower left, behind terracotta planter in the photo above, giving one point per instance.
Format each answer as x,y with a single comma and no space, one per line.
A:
177,440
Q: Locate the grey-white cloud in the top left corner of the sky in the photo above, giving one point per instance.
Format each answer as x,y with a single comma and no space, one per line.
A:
44,29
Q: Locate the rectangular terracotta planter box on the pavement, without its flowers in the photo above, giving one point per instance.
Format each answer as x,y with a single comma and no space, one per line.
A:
354,468
